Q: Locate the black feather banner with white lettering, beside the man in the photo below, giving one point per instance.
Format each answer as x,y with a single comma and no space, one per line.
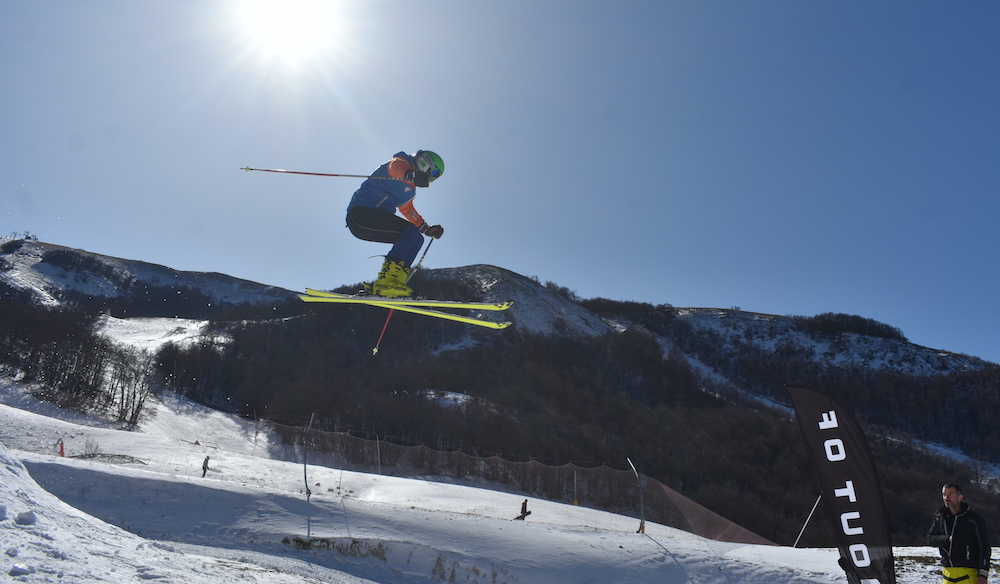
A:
849,485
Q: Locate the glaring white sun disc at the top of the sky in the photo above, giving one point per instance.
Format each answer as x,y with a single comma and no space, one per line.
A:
292,30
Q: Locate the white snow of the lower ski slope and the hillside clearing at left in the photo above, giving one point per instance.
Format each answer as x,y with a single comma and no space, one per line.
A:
134,505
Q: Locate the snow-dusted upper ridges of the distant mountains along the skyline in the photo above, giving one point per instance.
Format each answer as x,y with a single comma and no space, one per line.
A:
29,265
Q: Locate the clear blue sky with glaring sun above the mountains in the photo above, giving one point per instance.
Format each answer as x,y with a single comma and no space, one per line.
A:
782,157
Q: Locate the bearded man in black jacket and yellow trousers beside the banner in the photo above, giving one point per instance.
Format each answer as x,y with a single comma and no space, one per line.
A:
962,538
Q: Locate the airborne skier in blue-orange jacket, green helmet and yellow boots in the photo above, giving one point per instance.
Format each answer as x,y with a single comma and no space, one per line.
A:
371,216
